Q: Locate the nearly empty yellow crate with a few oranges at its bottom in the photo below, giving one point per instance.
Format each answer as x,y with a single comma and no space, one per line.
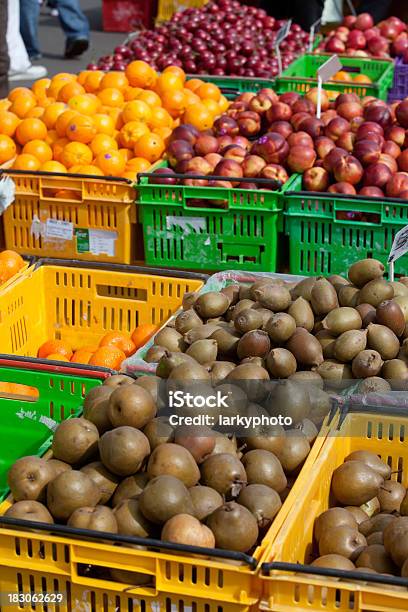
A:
80,302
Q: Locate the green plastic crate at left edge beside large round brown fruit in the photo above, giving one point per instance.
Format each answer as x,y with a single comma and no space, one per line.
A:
27,423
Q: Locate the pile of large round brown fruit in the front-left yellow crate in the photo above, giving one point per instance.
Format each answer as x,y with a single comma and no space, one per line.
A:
122,469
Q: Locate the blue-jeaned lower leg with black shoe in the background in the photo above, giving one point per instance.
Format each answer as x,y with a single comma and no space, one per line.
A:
75,26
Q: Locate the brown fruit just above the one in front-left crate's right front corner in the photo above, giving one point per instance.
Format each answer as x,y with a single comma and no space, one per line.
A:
262,501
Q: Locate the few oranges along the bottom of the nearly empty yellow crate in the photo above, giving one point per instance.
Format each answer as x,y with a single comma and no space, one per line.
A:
113,348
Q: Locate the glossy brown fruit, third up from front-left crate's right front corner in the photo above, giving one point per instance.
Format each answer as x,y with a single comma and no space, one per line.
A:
263,467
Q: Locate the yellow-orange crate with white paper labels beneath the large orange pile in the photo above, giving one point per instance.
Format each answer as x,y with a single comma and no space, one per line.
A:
99,223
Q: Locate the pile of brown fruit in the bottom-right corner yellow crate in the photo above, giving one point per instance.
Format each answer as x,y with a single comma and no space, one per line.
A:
368,529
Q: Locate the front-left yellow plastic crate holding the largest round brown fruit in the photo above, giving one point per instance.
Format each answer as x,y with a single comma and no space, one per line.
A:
32,561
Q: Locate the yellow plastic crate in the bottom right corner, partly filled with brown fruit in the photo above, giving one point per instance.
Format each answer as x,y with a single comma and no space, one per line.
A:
283,591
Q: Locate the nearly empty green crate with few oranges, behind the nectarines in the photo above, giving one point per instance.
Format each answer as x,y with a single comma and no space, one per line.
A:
301,76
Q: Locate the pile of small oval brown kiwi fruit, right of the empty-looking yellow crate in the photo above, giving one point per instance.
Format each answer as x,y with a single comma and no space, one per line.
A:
324,331
